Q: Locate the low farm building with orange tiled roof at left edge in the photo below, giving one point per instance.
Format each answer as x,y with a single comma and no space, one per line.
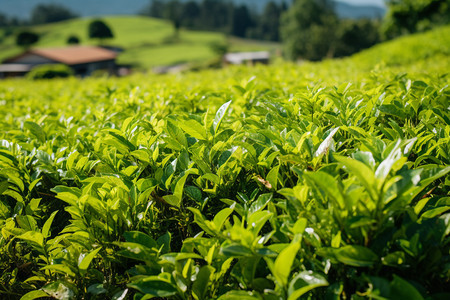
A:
83,60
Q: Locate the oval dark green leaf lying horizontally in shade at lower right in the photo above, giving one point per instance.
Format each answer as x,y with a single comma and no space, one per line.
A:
357,256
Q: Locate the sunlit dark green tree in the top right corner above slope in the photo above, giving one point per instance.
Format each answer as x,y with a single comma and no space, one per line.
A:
409,16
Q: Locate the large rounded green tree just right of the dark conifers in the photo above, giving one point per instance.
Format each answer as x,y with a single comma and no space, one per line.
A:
308,30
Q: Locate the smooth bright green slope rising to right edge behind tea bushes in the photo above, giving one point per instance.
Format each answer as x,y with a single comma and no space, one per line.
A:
421,53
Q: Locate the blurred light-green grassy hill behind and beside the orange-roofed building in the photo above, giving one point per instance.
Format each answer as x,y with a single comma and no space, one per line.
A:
148,42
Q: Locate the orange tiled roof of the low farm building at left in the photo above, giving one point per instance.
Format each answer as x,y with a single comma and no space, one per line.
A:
75,55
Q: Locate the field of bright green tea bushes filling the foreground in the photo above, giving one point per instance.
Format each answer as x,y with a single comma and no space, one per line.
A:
321,181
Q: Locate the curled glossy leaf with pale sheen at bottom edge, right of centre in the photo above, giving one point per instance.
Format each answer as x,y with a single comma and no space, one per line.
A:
304,282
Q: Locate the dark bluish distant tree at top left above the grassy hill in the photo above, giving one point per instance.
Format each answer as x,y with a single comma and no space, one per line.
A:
48,13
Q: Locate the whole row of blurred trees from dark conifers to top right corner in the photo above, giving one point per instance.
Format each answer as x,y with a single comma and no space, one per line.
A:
309,29
